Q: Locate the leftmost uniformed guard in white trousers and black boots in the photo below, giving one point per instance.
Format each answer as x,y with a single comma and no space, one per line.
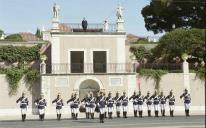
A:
23,102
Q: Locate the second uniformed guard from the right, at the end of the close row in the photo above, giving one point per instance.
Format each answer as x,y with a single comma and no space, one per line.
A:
171,99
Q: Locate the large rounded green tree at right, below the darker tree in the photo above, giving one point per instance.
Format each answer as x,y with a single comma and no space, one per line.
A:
179,41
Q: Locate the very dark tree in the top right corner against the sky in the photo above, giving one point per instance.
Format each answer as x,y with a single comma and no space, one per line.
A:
165,15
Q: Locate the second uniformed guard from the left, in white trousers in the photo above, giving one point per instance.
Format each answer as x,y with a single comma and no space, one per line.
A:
41,105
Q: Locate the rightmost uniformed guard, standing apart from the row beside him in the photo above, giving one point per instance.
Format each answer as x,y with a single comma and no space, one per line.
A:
187,101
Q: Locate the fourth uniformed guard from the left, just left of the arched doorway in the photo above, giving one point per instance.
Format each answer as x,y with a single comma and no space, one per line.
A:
75,106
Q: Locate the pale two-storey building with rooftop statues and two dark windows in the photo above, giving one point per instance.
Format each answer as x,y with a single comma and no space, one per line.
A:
93,60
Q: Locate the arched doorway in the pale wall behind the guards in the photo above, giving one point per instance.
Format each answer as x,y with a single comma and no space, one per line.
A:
86,86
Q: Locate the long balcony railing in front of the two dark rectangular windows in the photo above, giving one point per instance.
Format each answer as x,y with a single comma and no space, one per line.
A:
91,68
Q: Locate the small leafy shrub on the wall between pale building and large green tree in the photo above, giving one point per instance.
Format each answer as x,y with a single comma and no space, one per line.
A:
140,53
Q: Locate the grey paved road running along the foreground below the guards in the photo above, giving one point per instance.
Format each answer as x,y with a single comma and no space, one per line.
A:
195,121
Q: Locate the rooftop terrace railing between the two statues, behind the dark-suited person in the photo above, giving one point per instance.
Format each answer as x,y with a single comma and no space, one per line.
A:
92,27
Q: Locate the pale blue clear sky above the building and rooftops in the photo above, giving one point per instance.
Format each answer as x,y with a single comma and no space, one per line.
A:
28,15
